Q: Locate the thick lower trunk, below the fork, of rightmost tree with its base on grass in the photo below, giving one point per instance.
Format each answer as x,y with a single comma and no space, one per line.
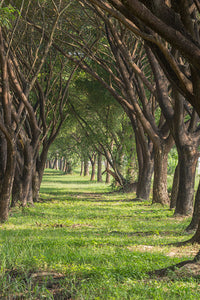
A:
188,157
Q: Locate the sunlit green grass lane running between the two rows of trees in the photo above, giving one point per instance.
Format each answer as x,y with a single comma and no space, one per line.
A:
82,242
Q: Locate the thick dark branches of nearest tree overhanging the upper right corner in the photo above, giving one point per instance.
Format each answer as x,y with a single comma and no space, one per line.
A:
171,30
